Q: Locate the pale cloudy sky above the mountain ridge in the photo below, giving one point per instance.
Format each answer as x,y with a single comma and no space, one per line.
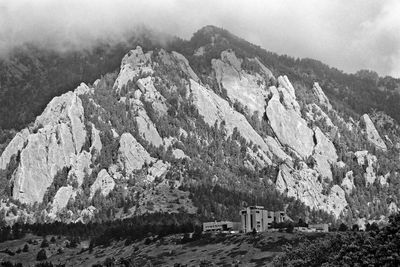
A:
346,34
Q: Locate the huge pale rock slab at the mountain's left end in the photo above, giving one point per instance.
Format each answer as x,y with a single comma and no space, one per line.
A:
58,136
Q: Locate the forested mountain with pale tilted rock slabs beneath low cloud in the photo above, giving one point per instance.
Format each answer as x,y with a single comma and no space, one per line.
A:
200,127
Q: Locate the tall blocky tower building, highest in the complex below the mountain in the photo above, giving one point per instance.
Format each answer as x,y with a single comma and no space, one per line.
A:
256,217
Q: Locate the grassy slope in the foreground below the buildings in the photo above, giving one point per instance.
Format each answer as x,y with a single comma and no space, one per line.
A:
210,250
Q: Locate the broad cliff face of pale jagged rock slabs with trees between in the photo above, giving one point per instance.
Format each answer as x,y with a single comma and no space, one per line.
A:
135,135
